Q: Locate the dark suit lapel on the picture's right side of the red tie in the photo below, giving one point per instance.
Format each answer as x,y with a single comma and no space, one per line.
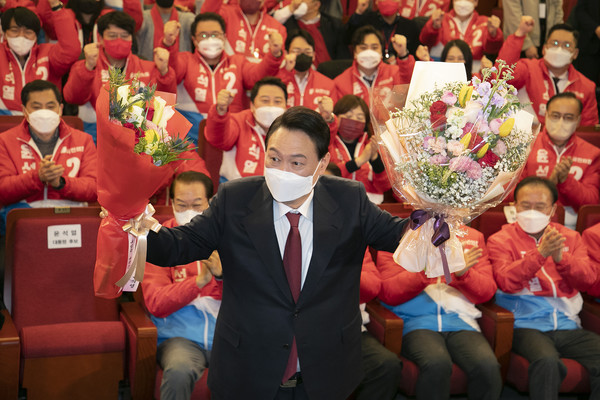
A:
326,225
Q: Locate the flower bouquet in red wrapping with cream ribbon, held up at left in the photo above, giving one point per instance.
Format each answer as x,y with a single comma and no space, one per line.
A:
140,139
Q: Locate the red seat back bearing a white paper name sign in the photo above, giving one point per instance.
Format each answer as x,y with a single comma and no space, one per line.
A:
46,285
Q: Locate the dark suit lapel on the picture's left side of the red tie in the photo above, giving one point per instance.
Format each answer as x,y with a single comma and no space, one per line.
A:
261,231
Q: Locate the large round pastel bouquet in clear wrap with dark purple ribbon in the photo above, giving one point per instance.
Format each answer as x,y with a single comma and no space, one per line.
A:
452,153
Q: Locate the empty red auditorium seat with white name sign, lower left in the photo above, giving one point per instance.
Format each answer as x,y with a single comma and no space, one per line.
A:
73,345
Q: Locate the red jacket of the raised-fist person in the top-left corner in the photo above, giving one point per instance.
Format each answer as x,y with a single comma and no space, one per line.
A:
46,61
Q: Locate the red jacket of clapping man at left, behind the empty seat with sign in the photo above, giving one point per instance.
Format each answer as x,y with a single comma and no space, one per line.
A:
19,165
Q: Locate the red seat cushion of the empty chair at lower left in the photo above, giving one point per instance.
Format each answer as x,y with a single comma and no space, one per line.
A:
72,339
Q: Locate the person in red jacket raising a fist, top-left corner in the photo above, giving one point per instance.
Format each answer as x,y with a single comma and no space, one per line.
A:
23,60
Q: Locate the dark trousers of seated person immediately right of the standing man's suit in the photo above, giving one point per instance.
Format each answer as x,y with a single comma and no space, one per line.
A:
382,371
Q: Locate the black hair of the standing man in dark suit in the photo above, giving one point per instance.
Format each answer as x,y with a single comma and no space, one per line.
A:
308,121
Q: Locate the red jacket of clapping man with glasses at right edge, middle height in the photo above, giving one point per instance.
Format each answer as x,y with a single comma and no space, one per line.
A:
583,183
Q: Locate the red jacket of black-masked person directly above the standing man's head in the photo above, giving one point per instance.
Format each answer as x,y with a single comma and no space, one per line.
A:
318,85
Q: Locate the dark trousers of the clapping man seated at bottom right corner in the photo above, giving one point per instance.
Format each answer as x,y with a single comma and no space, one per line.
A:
543,350
